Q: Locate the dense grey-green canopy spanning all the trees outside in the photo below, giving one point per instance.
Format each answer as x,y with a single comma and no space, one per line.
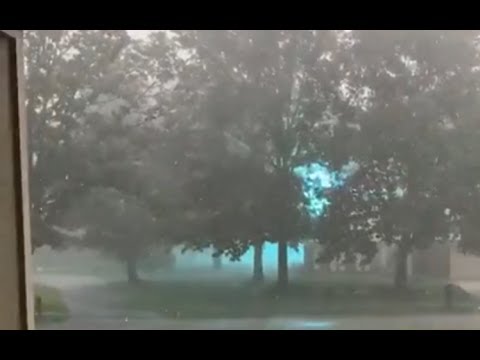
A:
207,130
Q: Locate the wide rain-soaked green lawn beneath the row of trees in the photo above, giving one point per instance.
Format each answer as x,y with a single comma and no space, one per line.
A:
236,299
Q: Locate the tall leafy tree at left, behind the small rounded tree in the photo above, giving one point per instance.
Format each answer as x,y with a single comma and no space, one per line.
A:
91,102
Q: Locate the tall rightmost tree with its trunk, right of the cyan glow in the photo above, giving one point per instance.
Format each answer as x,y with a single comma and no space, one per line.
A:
417,89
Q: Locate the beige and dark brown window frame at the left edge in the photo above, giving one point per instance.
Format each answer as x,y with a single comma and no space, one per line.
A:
19,271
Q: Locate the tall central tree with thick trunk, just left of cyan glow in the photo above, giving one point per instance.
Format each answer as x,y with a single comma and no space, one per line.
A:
280,85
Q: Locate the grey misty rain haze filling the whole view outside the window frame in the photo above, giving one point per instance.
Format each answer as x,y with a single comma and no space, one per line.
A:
254,179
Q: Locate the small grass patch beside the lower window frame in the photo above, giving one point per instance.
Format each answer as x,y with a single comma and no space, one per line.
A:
53,308
